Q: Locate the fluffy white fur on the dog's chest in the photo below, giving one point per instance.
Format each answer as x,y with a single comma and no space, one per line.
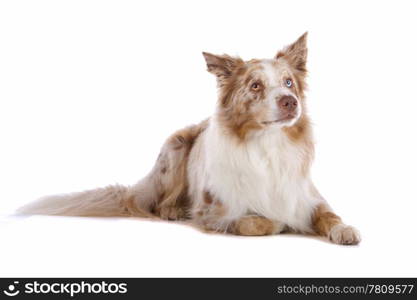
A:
261,176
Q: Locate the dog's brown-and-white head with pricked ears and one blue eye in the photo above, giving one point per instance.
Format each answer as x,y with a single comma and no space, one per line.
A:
257,94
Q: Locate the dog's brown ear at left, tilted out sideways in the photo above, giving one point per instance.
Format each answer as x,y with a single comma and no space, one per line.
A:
221,65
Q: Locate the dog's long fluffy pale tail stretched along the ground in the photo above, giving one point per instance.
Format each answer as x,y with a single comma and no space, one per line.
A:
110,201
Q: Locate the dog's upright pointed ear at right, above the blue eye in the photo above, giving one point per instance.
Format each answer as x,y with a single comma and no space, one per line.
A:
296,53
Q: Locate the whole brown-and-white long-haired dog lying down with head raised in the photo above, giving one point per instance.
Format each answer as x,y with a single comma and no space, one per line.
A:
245,170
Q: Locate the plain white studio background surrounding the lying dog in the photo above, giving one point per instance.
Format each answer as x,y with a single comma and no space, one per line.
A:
89,90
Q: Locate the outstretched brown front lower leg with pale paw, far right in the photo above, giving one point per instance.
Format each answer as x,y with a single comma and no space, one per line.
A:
328,224
